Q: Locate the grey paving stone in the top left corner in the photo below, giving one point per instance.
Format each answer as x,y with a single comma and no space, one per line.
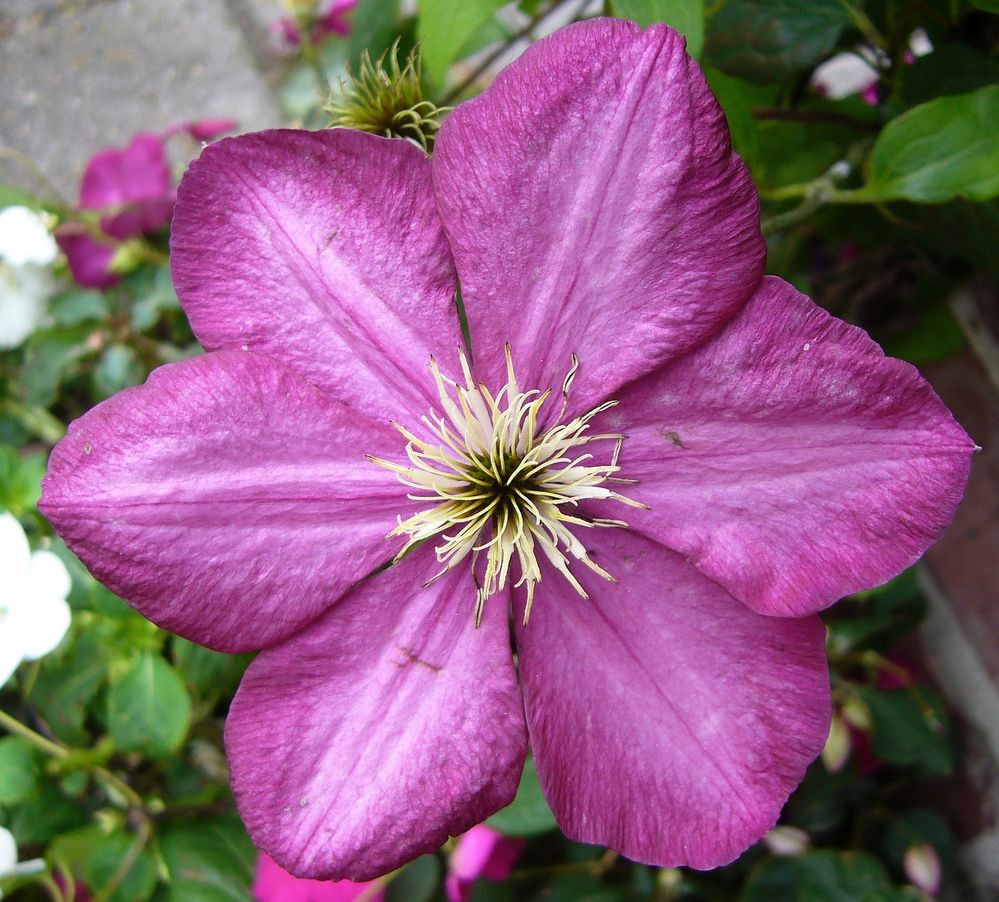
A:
82,75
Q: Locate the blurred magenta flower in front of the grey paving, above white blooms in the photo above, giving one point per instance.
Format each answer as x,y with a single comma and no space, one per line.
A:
134,185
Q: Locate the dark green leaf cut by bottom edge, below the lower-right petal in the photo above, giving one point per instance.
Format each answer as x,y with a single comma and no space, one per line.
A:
831,876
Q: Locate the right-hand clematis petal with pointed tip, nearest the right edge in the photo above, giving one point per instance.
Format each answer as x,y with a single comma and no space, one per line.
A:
789,459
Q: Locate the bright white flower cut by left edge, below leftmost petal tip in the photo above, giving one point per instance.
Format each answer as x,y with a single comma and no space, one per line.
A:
34,615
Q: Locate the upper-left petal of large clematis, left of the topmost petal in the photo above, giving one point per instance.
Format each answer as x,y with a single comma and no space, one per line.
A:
323,249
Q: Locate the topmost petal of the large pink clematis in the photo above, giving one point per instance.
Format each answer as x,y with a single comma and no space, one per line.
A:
594,206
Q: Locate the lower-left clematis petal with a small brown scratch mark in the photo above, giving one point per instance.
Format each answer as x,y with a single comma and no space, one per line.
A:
380,729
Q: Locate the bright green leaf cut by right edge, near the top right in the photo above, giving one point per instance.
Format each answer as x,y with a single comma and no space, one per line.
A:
939,151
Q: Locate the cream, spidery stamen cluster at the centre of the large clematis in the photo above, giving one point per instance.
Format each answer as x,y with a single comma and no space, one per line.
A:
503,486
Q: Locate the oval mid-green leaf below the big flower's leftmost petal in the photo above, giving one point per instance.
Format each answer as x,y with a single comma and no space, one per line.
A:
148,707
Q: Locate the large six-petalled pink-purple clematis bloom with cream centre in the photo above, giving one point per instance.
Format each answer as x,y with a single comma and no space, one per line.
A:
671,674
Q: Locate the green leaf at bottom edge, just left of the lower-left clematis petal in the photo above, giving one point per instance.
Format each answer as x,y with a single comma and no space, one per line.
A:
209,860
